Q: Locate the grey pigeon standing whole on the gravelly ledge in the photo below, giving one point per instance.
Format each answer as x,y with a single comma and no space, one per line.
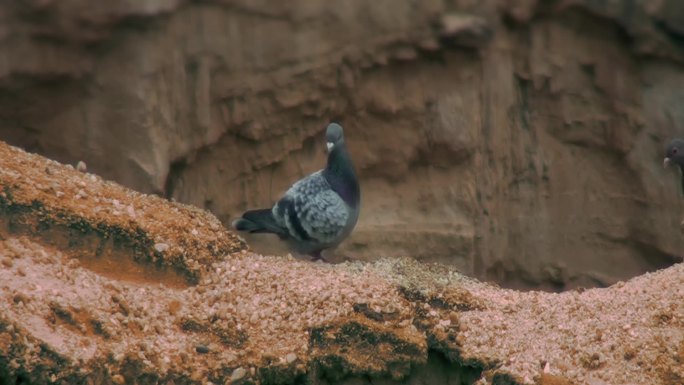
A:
317,212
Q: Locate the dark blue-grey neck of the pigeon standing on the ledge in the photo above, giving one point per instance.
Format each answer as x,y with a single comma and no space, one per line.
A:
341,175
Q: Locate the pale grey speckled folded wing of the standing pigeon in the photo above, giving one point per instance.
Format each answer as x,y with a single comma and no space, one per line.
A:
312,211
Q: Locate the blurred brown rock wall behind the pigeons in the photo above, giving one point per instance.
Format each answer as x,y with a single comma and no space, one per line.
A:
520,141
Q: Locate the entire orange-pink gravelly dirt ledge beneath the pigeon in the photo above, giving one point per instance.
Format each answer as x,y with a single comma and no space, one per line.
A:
89,294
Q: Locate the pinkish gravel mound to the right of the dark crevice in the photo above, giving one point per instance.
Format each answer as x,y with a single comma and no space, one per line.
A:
630,333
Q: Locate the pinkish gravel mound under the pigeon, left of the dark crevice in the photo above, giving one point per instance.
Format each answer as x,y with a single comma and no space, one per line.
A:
249,311
